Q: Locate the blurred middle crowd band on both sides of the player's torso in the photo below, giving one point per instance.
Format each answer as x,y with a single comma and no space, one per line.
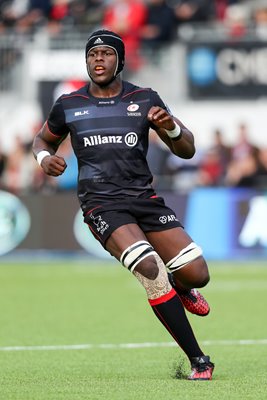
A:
239,165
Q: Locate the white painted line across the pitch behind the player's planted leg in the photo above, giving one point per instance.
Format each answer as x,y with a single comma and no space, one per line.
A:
131,345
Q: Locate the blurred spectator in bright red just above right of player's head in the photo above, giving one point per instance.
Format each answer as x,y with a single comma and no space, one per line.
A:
127,18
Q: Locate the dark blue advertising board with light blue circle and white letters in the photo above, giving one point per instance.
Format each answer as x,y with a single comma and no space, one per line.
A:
234,70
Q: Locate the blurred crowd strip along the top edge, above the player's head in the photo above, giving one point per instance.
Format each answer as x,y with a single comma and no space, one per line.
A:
147,21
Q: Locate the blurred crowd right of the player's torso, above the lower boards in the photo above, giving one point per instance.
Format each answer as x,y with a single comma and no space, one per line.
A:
221,165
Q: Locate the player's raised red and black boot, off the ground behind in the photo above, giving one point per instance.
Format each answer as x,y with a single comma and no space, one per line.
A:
192,300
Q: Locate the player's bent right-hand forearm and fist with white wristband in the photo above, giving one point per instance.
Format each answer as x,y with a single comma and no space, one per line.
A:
183,145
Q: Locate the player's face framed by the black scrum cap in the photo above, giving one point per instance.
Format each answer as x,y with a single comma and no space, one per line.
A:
101,64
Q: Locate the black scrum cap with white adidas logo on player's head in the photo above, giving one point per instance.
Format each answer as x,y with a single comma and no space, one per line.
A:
110,39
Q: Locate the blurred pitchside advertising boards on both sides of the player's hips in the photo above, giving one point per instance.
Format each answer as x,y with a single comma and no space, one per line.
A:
226,223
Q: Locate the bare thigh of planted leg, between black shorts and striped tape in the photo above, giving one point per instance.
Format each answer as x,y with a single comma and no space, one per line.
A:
123,237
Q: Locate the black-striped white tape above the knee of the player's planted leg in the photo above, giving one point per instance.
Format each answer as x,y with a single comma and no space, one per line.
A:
135,253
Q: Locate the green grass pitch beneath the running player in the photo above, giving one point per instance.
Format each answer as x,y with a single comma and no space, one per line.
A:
47,310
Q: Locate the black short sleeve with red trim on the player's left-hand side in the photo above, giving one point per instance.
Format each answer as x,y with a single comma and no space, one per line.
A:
56,120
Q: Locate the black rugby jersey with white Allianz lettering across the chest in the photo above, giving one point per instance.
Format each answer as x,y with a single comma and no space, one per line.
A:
110,139
